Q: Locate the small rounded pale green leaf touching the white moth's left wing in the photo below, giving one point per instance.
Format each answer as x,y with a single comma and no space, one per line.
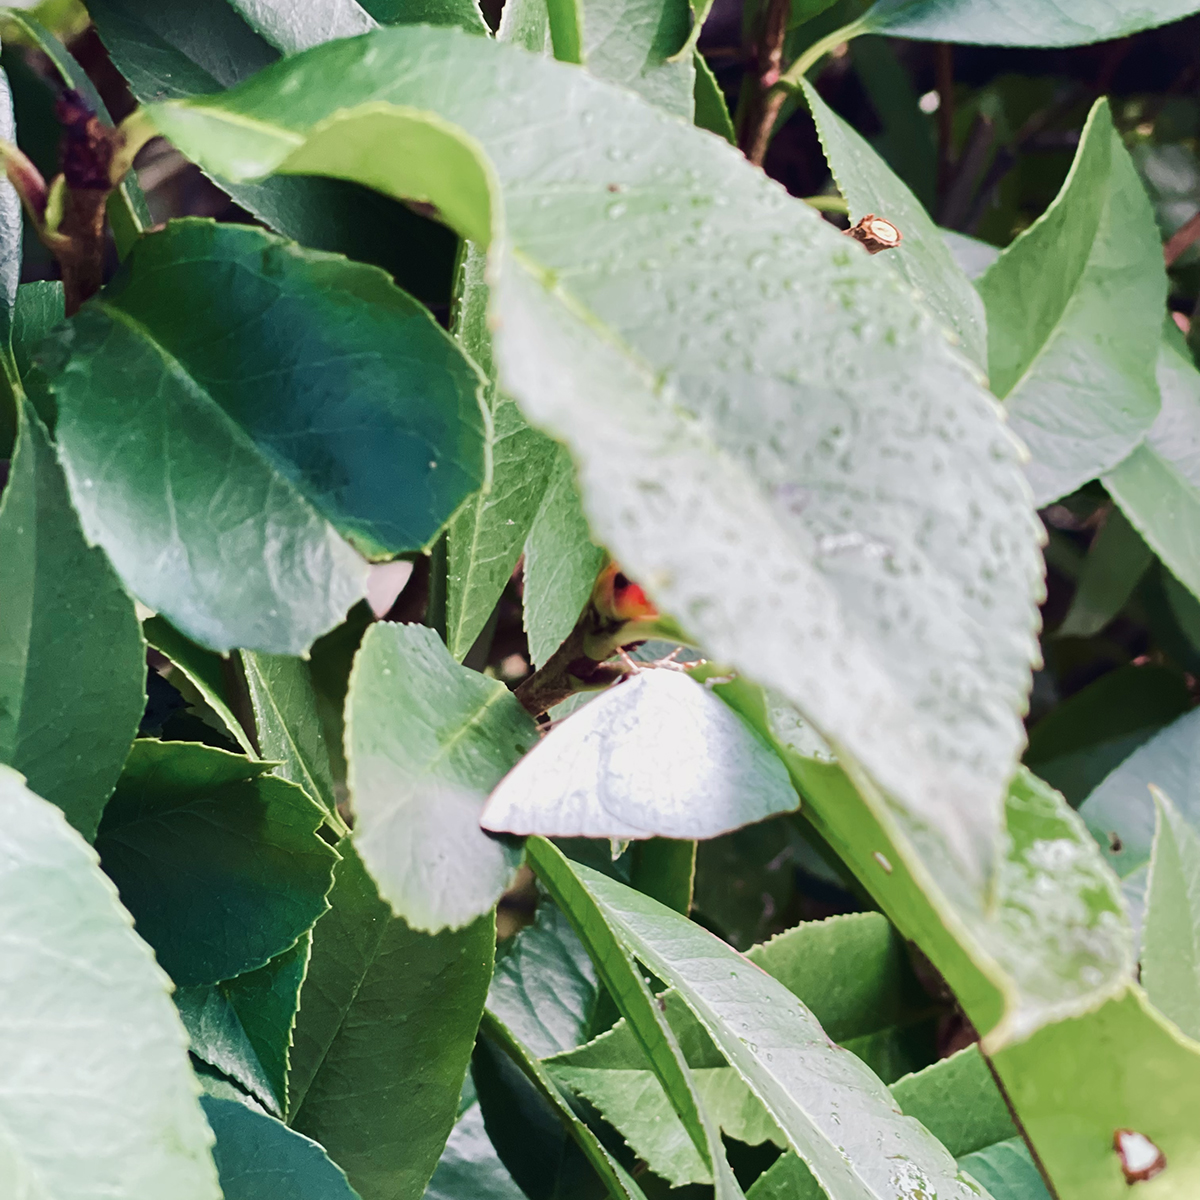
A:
427,741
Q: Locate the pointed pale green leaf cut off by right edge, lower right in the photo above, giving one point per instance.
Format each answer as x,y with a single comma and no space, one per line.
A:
1171,947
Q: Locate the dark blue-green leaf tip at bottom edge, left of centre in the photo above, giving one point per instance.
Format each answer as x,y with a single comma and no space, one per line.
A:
261,1159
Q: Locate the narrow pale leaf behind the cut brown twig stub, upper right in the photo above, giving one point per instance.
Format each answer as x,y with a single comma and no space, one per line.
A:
922,260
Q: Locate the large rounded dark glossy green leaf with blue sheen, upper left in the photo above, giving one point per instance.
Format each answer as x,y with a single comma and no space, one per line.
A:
266,566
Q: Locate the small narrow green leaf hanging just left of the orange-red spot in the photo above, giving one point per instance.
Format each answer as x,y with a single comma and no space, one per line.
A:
561,563
